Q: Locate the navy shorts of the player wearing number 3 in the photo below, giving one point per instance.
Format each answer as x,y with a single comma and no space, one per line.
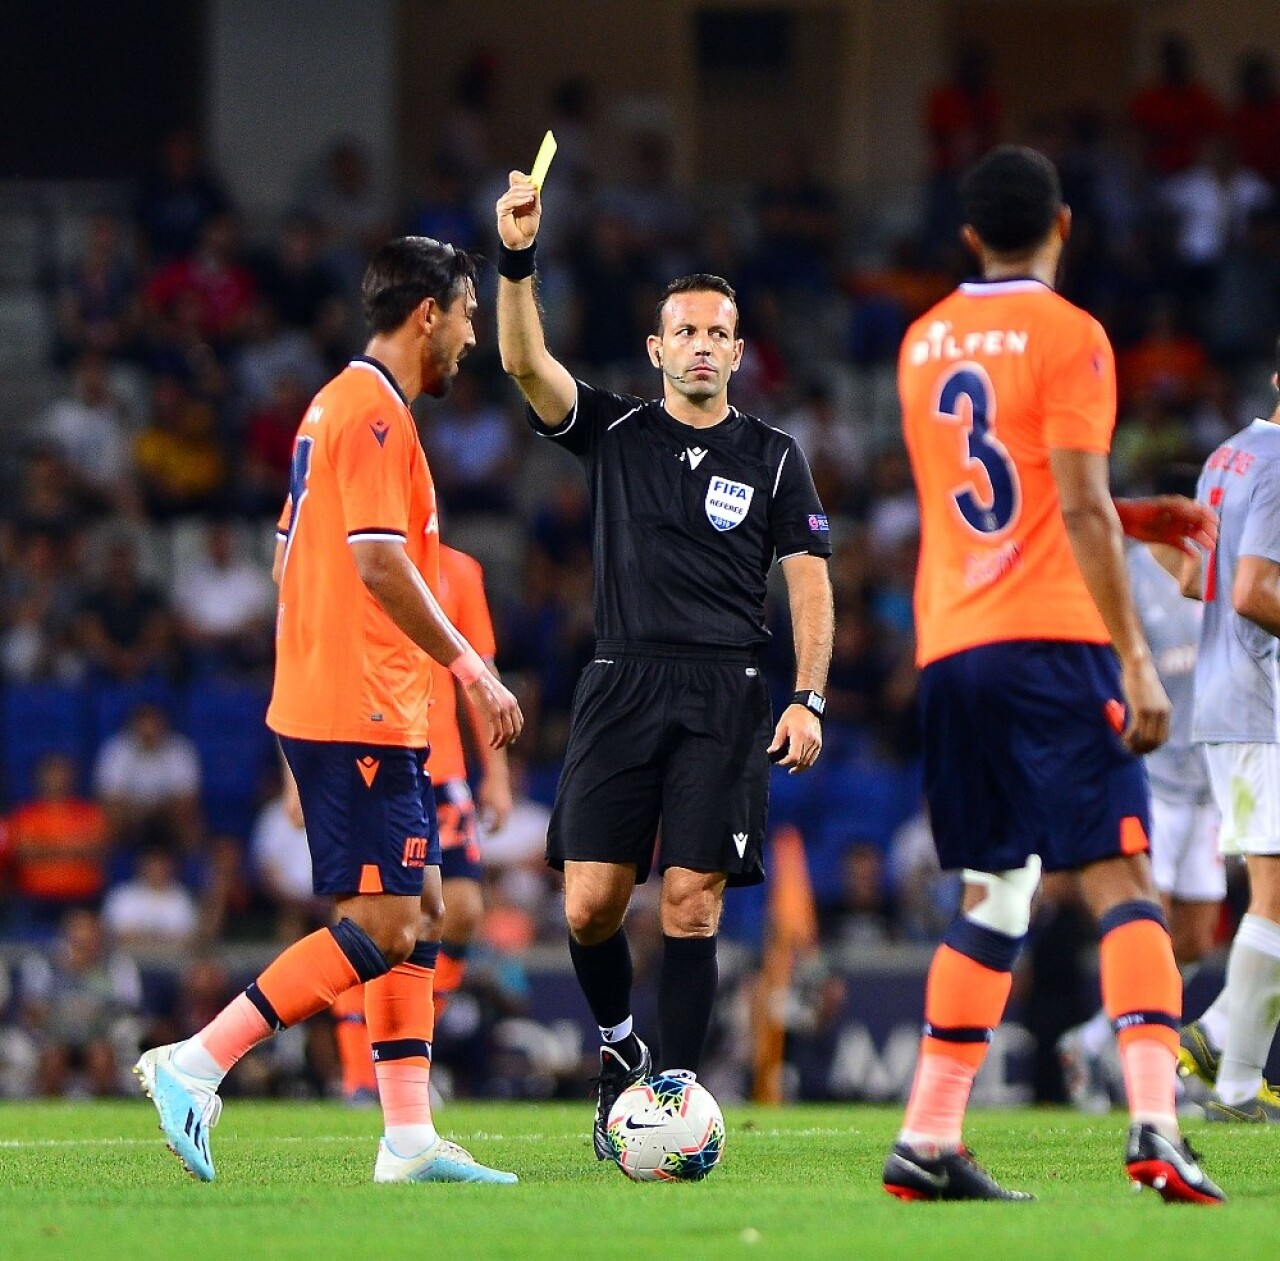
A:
1022,757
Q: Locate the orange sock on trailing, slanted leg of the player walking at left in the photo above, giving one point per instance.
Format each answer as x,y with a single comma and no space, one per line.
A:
298,984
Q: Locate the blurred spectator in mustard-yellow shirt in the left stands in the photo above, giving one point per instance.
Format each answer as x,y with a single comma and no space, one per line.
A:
180,460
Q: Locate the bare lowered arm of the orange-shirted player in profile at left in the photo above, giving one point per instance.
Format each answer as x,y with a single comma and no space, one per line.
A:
404,596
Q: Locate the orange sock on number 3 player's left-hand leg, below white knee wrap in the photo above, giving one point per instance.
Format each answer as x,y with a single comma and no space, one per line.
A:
964,1002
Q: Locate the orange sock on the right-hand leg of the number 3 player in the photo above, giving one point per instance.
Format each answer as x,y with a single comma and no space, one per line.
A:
1142,993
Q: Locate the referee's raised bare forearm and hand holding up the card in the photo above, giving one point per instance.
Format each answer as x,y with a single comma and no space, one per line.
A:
545,382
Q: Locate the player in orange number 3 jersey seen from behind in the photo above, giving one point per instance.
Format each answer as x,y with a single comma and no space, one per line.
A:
1037,684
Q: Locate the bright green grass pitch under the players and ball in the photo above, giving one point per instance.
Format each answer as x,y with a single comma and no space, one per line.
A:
95,1182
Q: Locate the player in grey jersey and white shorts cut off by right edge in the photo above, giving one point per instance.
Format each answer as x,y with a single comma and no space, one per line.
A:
1237,718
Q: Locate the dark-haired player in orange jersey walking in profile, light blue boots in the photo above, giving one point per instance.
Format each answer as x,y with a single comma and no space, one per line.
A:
356,561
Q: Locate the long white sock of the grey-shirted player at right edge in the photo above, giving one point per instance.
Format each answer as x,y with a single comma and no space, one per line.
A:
1254,983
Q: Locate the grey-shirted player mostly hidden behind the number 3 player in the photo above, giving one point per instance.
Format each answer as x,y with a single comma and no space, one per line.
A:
1186,863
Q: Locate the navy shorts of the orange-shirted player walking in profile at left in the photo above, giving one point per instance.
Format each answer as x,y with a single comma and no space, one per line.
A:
371,816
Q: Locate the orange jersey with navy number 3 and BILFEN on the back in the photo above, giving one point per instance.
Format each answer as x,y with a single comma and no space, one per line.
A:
991,380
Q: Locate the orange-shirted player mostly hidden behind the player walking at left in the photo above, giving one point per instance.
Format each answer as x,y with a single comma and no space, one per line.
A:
461,596
